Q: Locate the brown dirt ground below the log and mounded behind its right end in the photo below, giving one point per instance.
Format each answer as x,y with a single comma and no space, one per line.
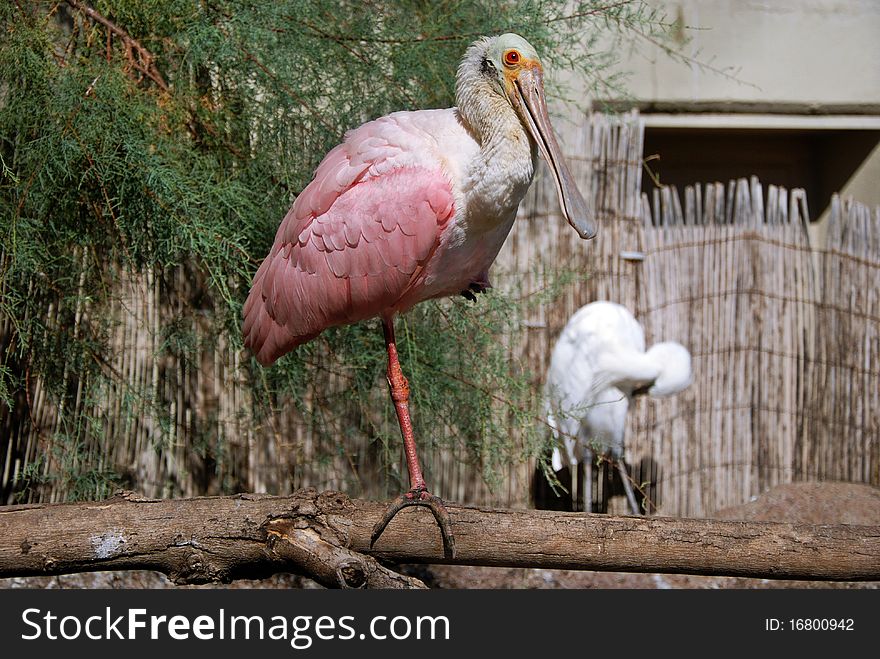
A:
809,503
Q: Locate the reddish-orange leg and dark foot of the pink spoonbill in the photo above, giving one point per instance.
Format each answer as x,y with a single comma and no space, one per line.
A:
418,494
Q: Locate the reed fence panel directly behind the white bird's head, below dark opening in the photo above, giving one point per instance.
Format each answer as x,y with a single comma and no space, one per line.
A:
735,285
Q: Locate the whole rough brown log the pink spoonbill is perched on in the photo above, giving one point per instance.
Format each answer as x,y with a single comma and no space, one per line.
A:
326,536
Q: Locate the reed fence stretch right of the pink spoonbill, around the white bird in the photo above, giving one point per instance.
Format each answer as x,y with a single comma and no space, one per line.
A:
783,333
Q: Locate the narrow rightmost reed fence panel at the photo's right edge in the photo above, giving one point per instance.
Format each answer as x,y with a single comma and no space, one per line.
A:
842,415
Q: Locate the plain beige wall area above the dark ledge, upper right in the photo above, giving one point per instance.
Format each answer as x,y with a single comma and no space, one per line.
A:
786,51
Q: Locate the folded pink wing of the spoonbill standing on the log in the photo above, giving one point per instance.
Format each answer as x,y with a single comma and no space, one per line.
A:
350,246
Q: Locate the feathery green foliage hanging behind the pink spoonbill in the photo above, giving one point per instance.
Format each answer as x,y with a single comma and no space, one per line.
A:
116,164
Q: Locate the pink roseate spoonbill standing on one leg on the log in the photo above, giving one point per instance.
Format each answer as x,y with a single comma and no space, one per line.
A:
412,206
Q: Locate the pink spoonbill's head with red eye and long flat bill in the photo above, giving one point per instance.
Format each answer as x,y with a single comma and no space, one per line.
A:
508,65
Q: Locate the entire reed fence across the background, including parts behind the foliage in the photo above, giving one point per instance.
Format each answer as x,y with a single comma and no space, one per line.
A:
784,335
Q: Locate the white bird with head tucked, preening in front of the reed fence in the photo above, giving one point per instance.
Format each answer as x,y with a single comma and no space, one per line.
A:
598,364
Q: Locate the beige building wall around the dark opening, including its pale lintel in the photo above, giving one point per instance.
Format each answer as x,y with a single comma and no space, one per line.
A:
773,62
